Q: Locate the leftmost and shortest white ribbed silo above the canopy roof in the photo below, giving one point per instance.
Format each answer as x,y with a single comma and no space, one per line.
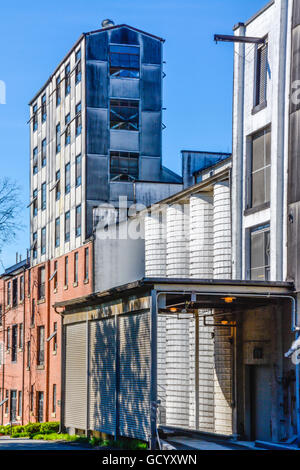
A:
155,245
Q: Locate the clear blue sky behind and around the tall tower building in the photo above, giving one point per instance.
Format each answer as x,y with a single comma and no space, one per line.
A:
35,36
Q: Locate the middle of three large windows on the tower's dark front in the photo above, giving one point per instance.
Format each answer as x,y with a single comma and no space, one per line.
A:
124,114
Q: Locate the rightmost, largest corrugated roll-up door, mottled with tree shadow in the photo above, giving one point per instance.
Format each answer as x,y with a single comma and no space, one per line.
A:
134,396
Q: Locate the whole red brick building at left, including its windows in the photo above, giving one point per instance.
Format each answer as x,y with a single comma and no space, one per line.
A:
30,333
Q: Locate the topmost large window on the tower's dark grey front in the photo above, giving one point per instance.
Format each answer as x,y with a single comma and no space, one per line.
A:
124,61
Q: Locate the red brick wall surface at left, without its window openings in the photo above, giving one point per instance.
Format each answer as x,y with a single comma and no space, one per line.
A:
42,377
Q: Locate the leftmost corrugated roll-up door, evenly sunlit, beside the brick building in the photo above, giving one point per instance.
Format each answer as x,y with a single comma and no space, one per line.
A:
75,376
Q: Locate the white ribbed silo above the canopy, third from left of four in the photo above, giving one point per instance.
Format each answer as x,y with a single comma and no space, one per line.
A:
201,236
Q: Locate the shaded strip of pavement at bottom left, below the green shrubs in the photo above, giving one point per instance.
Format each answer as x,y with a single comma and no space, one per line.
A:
7,443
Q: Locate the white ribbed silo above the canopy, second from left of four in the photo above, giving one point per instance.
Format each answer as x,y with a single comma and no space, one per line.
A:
177,241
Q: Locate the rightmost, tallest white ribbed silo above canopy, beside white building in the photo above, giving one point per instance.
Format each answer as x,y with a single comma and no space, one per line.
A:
222,231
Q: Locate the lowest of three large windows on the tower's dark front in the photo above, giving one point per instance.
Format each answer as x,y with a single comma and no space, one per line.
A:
124,165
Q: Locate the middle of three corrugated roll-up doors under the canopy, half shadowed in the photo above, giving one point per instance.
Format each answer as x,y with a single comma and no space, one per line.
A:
102,382
